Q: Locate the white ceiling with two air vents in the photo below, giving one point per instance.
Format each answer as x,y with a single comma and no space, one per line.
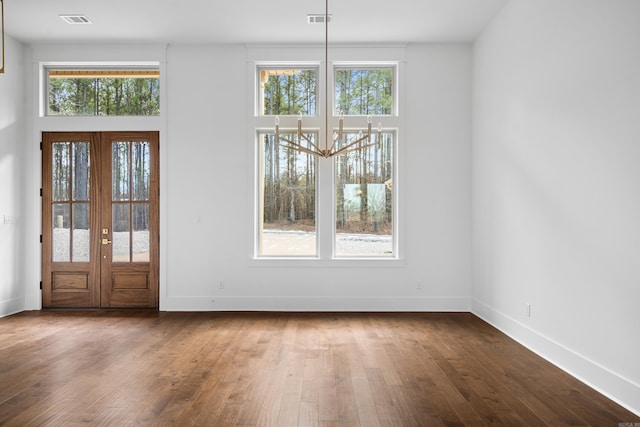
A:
249,21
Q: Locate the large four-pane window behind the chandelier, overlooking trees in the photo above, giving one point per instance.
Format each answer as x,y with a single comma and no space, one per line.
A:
362,206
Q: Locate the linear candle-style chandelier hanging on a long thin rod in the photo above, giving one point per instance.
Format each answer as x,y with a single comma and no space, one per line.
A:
332,146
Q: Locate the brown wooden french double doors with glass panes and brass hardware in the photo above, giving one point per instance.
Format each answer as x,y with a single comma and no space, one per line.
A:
100,219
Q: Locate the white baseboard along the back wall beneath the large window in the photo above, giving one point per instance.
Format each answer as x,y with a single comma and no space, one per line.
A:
338,304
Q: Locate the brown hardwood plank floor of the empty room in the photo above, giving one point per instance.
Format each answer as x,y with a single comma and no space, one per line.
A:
132,368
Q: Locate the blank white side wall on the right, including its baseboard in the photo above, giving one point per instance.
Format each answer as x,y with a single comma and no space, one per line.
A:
556,199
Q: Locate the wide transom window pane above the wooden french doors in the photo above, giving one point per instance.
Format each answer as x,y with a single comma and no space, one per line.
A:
104,93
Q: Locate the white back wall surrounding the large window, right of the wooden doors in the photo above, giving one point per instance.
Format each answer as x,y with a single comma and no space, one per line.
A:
210,203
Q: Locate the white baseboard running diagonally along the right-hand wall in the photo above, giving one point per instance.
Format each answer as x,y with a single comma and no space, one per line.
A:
606,382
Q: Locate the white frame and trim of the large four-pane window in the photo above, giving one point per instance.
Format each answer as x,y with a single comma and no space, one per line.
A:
325,171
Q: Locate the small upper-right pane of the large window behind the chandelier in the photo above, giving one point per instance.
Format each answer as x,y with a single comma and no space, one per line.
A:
364,91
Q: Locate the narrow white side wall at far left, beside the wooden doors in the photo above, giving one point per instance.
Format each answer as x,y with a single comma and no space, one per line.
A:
12,110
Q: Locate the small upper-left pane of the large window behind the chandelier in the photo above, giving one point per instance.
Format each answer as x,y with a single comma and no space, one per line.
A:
288,91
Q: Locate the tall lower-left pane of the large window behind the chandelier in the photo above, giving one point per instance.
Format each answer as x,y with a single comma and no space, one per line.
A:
288,202
